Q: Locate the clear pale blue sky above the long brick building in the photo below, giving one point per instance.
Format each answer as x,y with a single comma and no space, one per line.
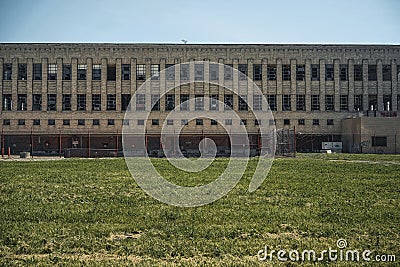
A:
201,21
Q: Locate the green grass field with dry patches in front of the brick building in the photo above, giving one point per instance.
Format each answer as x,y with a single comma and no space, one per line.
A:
91,212
